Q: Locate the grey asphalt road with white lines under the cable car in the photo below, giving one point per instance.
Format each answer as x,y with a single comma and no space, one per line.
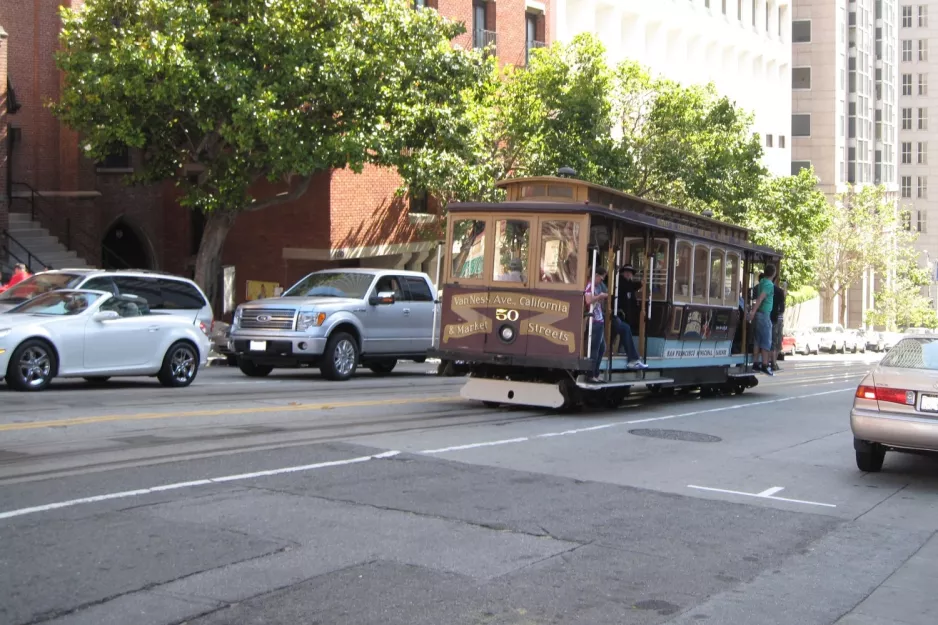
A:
390,500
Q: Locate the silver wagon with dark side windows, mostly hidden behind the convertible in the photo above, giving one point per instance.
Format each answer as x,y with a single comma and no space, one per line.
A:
163,292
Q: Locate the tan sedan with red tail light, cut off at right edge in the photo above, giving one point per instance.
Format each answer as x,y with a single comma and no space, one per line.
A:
896,404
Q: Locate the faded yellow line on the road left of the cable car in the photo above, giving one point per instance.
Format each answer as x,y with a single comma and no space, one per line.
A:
10,427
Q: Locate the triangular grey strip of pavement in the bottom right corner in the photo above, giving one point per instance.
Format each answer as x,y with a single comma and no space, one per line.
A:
908,597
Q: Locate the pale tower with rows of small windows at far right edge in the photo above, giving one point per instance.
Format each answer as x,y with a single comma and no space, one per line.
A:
916,133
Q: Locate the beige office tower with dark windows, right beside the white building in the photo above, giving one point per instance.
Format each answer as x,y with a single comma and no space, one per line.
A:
845,110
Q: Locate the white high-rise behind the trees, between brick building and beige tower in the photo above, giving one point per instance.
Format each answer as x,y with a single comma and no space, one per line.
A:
742,46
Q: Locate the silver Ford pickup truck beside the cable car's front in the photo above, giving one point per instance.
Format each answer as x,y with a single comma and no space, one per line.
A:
337,320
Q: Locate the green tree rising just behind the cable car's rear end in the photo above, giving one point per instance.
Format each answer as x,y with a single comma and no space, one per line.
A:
790,214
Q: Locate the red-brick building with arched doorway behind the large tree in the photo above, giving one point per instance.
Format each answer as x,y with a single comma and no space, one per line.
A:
345,219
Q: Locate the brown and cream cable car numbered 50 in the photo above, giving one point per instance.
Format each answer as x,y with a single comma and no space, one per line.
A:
514,315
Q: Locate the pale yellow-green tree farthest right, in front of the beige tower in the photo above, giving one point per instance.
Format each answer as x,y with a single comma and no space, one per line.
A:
864,234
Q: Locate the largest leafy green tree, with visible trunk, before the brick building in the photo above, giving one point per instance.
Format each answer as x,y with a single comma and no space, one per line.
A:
222,95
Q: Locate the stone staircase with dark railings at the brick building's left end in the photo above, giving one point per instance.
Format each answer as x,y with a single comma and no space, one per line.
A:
30,239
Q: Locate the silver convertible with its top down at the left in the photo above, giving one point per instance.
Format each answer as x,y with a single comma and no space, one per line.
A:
71,333
